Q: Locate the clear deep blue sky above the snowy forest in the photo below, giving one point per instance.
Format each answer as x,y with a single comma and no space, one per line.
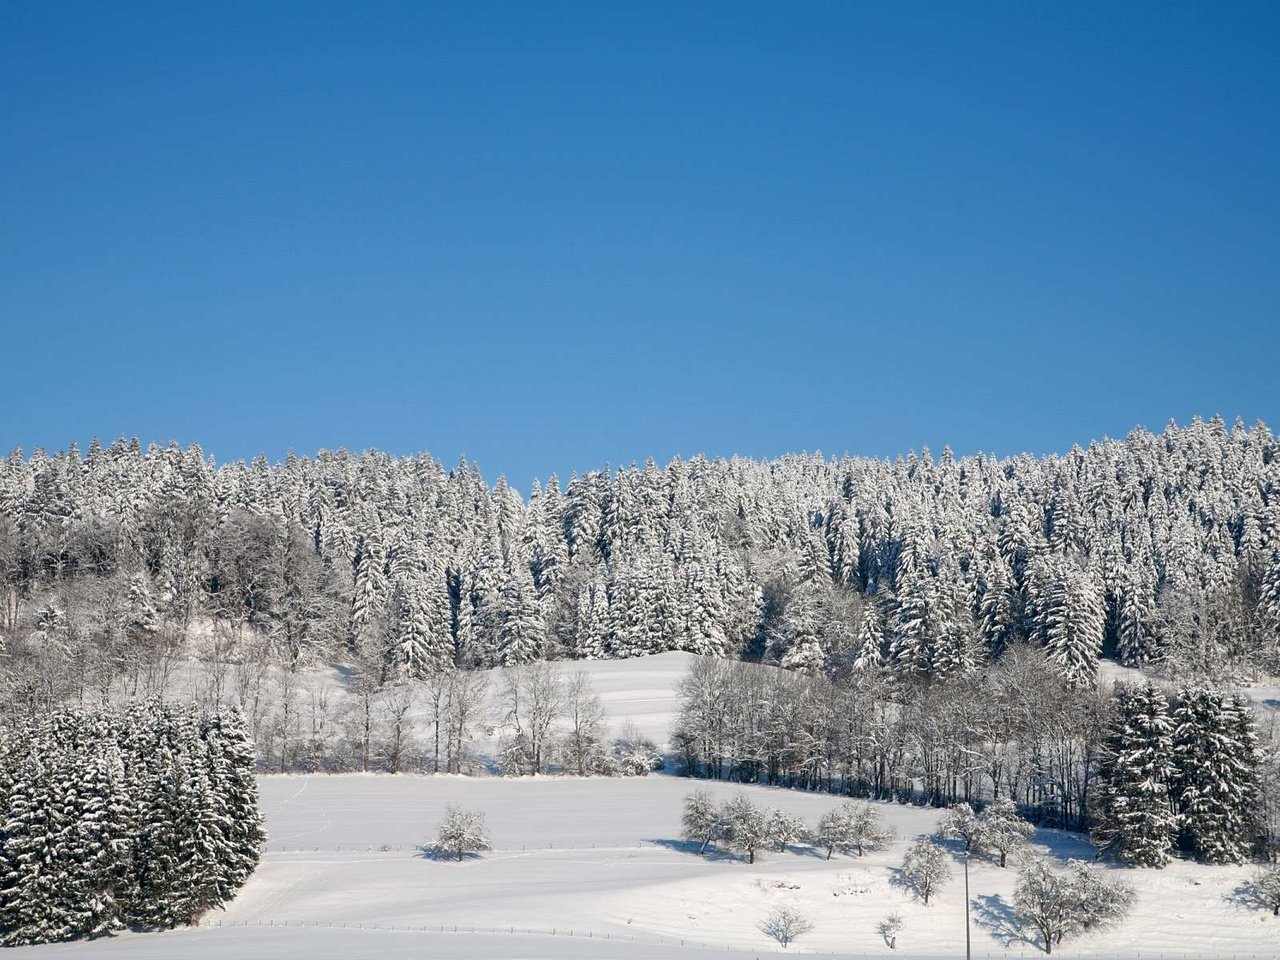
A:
552,236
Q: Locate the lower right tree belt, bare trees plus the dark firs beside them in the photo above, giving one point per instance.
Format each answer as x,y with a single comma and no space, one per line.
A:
1148,776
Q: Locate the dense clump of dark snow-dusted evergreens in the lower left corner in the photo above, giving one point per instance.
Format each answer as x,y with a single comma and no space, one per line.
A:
143,817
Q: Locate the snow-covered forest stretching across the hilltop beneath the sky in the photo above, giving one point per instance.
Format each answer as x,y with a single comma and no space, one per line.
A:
122,565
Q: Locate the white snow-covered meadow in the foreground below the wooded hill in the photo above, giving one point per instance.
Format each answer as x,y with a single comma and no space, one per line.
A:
593,868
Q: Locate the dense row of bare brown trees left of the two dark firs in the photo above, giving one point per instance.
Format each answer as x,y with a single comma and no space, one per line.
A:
1014,732
